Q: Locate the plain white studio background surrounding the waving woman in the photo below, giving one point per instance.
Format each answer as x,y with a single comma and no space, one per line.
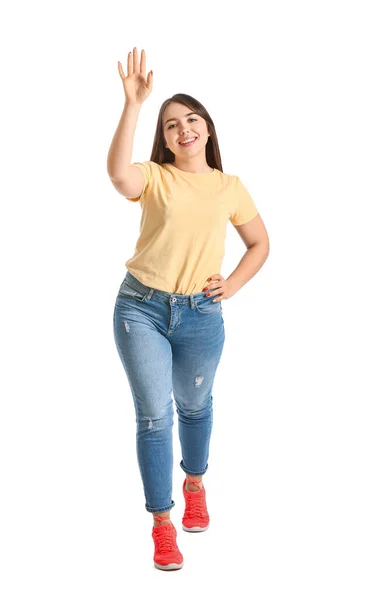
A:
284,85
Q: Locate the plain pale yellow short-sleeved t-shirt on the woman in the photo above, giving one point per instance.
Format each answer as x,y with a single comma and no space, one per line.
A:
183,225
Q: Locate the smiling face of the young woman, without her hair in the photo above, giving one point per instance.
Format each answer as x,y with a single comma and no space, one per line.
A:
181,123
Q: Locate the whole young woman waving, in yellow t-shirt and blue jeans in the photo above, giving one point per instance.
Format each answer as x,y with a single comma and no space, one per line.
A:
168,318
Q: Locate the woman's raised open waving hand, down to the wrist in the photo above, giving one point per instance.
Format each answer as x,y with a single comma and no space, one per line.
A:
137,87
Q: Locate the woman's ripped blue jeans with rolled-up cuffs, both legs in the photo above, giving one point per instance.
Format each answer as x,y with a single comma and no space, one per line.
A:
168,343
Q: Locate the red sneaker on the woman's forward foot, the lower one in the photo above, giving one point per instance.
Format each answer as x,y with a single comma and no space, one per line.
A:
167,555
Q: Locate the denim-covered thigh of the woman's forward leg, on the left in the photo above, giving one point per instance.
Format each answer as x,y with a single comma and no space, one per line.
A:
146,356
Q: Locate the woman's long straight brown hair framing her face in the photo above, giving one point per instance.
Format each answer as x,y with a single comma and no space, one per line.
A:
160,154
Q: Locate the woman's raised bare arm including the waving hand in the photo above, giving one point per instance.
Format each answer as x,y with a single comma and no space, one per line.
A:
126,178
